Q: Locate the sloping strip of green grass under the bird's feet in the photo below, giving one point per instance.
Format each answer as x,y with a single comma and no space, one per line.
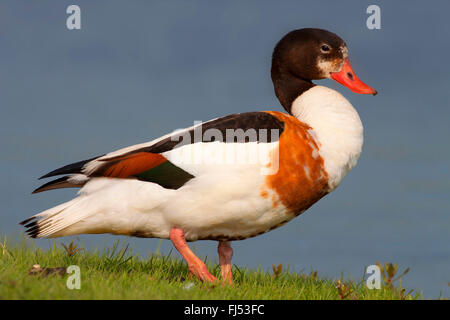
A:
116,273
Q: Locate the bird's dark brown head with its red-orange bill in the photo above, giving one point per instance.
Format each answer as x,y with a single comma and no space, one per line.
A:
311,54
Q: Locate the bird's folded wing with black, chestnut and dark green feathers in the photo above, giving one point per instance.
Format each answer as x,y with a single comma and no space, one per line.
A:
147,162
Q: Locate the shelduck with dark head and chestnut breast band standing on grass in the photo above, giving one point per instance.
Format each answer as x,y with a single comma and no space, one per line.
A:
230,178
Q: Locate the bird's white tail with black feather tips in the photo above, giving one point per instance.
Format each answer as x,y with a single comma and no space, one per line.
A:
52,221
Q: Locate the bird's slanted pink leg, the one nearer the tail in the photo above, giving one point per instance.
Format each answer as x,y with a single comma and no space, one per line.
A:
195,265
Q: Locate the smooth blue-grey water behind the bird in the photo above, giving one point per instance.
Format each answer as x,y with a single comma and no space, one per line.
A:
138,70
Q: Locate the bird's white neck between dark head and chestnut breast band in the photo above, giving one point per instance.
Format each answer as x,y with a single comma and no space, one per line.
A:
336,127
